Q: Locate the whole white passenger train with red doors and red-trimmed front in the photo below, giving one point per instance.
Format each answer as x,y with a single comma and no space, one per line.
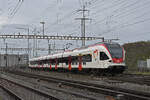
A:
99,58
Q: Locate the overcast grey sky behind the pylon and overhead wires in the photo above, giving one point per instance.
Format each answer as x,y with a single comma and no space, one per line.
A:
124,19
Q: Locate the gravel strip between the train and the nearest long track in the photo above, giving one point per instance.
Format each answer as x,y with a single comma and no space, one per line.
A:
96,80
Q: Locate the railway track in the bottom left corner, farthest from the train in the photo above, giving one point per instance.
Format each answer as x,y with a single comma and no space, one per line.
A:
16,88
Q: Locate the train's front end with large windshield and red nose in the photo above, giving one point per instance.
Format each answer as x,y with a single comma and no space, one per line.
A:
117,53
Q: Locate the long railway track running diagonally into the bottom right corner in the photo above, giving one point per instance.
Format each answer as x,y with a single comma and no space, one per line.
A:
107,90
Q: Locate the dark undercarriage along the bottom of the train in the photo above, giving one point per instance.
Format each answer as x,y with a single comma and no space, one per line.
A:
112,70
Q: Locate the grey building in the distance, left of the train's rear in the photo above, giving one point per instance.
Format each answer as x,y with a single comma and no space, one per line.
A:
13,60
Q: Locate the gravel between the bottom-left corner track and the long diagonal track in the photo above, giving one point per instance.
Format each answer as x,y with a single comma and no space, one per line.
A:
65,96
